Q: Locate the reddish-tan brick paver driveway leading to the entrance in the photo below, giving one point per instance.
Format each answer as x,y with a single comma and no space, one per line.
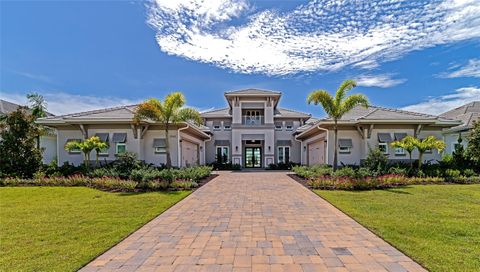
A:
253,221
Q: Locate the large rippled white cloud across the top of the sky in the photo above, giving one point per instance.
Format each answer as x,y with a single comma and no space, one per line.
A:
322,35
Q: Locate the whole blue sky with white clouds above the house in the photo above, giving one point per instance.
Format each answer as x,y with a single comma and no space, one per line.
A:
417,55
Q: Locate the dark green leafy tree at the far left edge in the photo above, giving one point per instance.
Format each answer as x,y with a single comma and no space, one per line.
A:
19,156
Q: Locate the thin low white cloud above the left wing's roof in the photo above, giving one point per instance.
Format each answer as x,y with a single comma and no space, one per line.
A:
63,103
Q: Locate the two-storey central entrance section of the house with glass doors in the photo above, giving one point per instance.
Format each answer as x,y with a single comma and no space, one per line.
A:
253,130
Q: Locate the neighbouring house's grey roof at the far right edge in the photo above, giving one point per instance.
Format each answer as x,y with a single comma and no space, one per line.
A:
467,113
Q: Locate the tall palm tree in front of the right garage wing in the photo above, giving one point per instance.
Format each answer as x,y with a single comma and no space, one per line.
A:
337,106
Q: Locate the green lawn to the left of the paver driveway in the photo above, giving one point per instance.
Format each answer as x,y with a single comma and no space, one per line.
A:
63,228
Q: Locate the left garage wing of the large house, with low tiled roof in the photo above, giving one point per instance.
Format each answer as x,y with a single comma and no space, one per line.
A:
117,127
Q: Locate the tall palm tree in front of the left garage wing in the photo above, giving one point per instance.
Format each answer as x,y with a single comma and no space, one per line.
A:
169,112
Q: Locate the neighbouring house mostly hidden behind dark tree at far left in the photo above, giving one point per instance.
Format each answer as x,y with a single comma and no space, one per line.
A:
48,141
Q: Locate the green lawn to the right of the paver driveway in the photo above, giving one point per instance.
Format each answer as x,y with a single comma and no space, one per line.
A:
436,225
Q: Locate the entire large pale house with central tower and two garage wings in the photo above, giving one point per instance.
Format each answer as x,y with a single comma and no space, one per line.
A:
252,131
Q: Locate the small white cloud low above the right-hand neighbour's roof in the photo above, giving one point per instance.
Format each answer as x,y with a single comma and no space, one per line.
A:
440,104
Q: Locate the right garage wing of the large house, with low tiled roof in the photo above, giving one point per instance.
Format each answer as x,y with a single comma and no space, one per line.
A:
362,129
